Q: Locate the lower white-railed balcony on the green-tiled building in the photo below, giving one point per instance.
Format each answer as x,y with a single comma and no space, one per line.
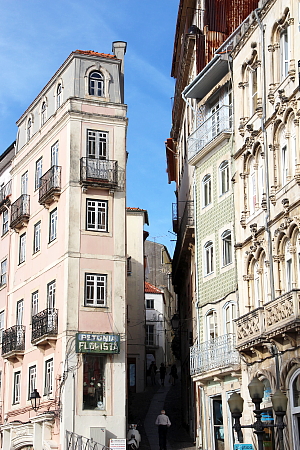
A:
217,354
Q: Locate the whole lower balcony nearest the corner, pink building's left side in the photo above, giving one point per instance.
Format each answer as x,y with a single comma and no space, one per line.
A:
45,327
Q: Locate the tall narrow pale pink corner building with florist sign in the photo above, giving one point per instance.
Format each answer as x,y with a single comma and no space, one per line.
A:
63,260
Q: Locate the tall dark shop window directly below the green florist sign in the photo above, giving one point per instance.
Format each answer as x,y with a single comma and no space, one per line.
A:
94,382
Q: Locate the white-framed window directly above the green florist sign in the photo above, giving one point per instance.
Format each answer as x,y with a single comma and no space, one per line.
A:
95,289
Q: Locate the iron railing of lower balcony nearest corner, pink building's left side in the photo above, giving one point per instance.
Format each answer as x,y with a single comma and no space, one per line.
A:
44,324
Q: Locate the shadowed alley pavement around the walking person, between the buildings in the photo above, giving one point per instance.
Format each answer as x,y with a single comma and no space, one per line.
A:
145,407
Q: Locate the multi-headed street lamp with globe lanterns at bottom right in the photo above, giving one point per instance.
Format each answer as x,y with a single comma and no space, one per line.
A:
256,390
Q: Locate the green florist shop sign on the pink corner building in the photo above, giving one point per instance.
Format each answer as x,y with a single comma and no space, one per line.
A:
97,343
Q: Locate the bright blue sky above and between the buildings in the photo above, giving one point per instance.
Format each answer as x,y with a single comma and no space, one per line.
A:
37,36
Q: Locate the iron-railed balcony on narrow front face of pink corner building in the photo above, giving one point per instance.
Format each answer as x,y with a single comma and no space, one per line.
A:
101,173
